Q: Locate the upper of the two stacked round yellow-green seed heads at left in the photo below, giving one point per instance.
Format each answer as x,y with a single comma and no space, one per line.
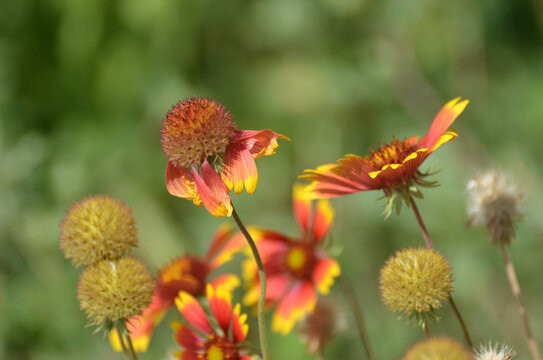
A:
97,228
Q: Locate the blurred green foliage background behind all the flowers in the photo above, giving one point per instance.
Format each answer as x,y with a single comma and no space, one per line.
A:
85,84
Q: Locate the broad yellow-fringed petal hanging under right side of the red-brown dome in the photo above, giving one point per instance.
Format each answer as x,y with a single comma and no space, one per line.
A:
239,168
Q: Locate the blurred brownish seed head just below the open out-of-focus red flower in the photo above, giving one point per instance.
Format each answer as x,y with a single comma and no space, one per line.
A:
321,326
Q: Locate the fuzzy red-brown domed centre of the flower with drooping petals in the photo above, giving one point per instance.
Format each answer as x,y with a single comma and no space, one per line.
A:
195,129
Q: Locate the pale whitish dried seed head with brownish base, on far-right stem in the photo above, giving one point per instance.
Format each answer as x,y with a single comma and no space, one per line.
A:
493,201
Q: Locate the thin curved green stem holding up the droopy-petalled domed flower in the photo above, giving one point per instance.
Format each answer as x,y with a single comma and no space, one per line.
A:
262,276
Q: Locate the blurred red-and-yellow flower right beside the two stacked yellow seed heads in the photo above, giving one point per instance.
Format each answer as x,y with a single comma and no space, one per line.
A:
189,274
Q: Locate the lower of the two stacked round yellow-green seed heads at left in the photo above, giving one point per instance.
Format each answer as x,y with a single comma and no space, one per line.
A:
112,291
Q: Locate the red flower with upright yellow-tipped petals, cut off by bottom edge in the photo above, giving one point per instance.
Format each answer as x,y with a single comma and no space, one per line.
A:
200,339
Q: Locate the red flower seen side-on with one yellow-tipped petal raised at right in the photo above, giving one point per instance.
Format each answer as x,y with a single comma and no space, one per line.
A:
391,167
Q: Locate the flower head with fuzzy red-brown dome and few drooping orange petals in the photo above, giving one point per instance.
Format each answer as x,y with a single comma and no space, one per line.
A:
208,157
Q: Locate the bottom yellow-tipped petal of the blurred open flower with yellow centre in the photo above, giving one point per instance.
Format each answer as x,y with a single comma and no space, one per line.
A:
299,301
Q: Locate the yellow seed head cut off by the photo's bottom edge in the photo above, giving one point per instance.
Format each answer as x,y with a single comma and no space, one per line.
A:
442,348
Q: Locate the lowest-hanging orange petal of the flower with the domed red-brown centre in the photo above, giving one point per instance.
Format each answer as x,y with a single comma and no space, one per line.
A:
212,191
